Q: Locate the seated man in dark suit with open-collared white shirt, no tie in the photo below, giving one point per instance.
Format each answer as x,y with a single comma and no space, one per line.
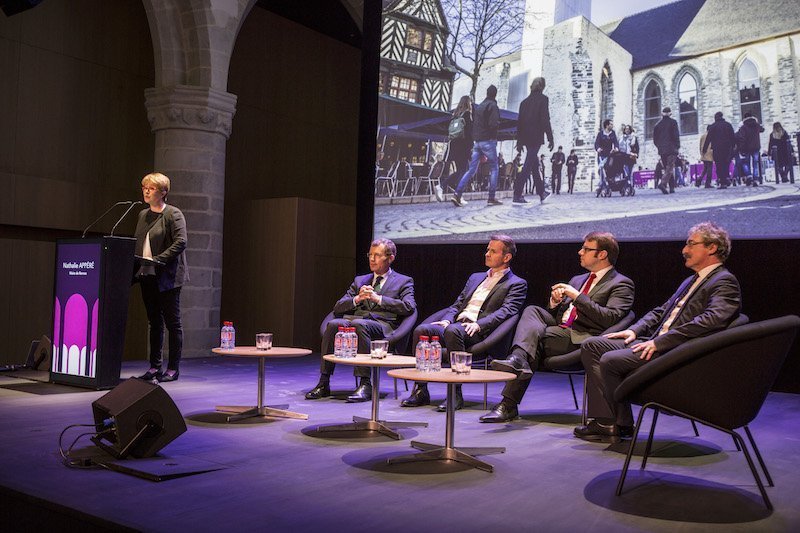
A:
488,299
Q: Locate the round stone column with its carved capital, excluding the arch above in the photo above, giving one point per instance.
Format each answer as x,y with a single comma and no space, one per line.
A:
191,126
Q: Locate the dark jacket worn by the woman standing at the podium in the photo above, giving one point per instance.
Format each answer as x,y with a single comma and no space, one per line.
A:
168,239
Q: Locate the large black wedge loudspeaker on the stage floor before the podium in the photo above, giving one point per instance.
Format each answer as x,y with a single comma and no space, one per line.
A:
136,418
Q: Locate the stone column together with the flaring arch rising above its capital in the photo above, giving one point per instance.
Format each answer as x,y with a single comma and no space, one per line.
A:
191,114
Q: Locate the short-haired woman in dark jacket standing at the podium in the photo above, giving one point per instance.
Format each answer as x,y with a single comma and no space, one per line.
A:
161,272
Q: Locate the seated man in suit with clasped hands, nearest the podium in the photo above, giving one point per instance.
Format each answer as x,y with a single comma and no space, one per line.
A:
375,304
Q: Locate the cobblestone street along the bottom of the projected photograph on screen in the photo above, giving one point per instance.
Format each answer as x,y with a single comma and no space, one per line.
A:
764,211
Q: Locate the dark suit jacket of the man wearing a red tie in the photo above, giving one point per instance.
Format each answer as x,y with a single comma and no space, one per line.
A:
607,303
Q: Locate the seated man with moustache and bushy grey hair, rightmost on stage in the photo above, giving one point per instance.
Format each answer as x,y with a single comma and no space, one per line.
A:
704,303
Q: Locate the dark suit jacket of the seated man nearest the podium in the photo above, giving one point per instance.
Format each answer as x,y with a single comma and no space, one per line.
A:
397,293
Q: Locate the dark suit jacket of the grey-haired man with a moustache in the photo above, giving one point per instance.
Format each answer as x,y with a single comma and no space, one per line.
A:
711,307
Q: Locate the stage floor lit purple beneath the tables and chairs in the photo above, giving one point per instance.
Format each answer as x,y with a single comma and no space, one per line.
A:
279,475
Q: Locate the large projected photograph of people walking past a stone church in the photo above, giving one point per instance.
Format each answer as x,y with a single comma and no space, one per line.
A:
649,135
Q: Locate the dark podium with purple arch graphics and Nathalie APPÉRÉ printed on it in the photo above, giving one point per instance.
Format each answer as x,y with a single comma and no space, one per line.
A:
91,290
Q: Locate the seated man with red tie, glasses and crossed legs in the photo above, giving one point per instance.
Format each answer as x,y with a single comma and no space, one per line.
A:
587,306
